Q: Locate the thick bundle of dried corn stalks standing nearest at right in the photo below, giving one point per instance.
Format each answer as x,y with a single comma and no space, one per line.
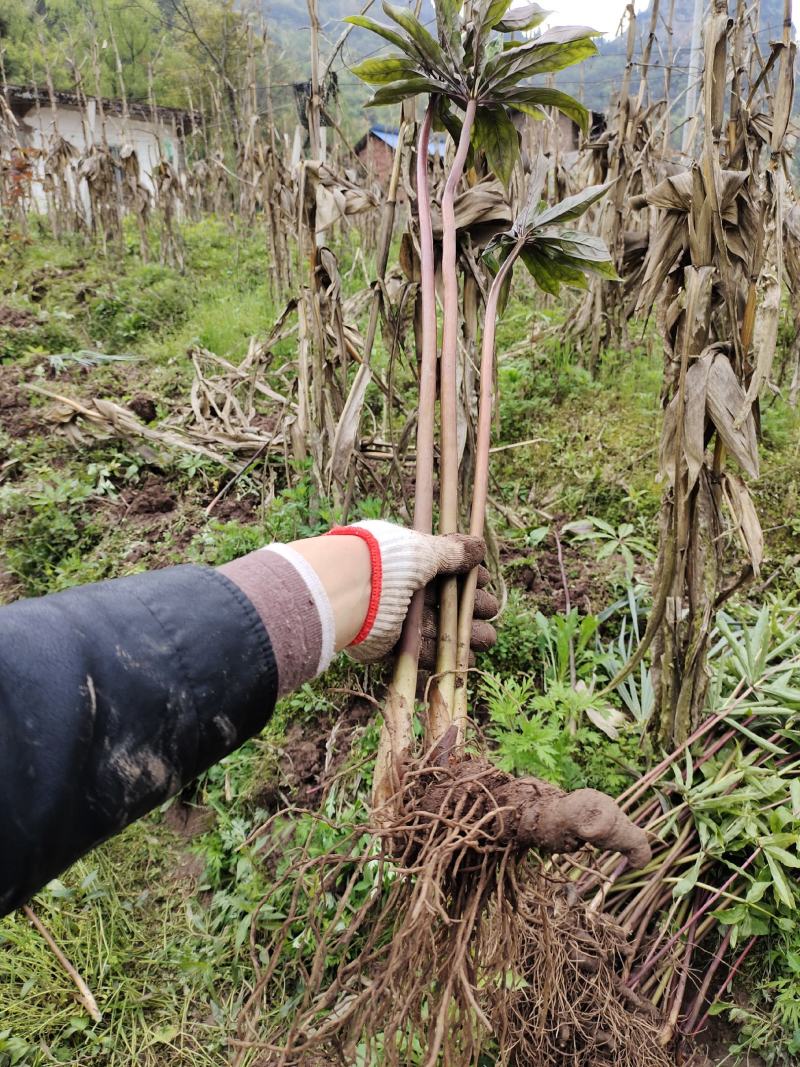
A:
717,248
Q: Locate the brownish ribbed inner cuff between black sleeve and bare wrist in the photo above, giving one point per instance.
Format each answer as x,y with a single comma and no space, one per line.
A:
287,610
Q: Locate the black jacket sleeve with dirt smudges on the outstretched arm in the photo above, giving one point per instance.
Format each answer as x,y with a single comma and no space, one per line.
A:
113,697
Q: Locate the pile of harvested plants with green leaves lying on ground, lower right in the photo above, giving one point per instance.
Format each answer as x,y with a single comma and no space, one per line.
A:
722,814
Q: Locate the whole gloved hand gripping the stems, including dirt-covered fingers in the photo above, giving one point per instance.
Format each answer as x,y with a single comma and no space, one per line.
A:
405,562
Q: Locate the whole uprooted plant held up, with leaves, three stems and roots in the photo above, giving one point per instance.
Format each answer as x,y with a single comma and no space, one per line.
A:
402,974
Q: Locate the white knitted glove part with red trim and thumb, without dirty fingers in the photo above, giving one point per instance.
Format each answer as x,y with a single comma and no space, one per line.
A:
403,563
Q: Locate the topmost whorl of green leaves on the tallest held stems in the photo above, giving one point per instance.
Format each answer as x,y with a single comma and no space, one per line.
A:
471,60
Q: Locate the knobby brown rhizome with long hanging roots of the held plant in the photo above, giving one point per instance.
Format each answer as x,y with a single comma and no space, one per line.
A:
418,959
